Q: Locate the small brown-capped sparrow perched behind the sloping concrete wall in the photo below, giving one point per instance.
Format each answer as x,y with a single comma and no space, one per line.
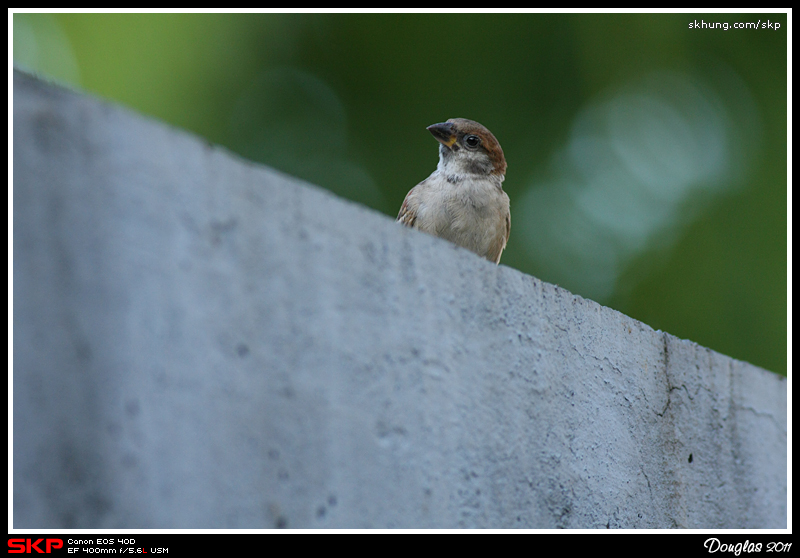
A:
463,199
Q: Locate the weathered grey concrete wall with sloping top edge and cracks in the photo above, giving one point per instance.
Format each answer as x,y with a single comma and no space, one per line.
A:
202,342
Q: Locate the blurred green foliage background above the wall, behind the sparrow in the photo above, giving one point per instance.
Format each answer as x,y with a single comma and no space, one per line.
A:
646,158
